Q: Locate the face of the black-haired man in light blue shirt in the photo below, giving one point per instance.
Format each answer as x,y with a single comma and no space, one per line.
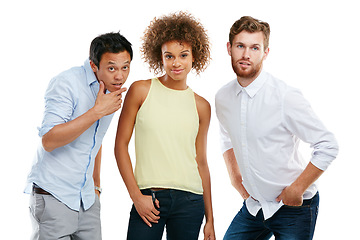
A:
113,70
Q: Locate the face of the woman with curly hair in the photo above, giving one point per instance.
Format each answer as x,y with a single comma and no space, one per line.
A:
177,59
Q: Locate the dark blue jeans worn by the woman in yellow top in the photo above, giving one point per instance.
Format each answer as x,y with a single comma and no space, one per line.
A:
182,212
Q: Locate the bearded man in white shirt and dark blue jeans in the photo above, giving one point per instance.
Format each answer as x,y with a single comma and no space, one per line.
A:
262,121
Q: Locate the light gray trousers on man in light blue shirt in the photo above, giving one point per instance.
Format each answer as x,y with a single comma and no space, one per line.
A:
51,219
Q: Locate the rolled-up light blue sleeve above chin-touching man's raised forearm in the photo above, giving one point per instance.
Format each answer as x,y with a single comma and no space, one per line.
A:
59,104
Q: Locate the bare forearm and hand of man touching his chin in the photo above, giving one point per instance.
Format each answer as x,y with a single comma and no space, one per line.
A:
65,133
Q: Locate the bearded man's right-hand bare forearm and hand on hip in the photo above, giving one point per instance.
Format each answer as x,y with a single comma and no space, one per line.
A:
293,194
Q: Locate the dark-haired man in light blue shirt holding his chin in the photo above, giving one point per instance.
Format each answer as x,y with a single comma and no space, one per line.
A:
79,106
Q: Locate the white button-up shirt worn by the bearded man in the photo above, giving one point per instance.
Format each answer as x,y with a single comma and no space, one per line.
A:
263,123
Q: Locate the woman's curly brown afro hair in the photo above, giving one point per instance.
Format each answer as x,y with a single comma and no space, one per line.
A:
182,27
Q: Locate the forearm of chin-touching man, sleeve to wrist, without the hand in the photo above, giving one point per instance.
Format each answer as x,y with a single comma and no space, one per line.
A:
65,133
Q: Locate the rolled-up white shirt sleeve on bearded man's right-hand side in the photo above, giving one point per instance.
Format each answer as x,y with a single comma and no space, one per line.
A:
301,120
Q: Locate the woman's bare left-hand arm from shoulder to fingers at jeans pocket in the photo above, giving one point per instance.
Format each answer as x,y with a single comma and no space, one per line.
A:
134,99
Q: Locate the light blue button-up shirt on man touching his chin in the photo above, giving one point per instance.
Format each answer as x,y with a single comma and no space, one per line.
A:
67,172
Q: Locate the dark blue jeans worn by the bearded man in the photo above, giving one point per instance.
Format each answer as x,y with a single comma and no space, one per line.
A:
288,223
